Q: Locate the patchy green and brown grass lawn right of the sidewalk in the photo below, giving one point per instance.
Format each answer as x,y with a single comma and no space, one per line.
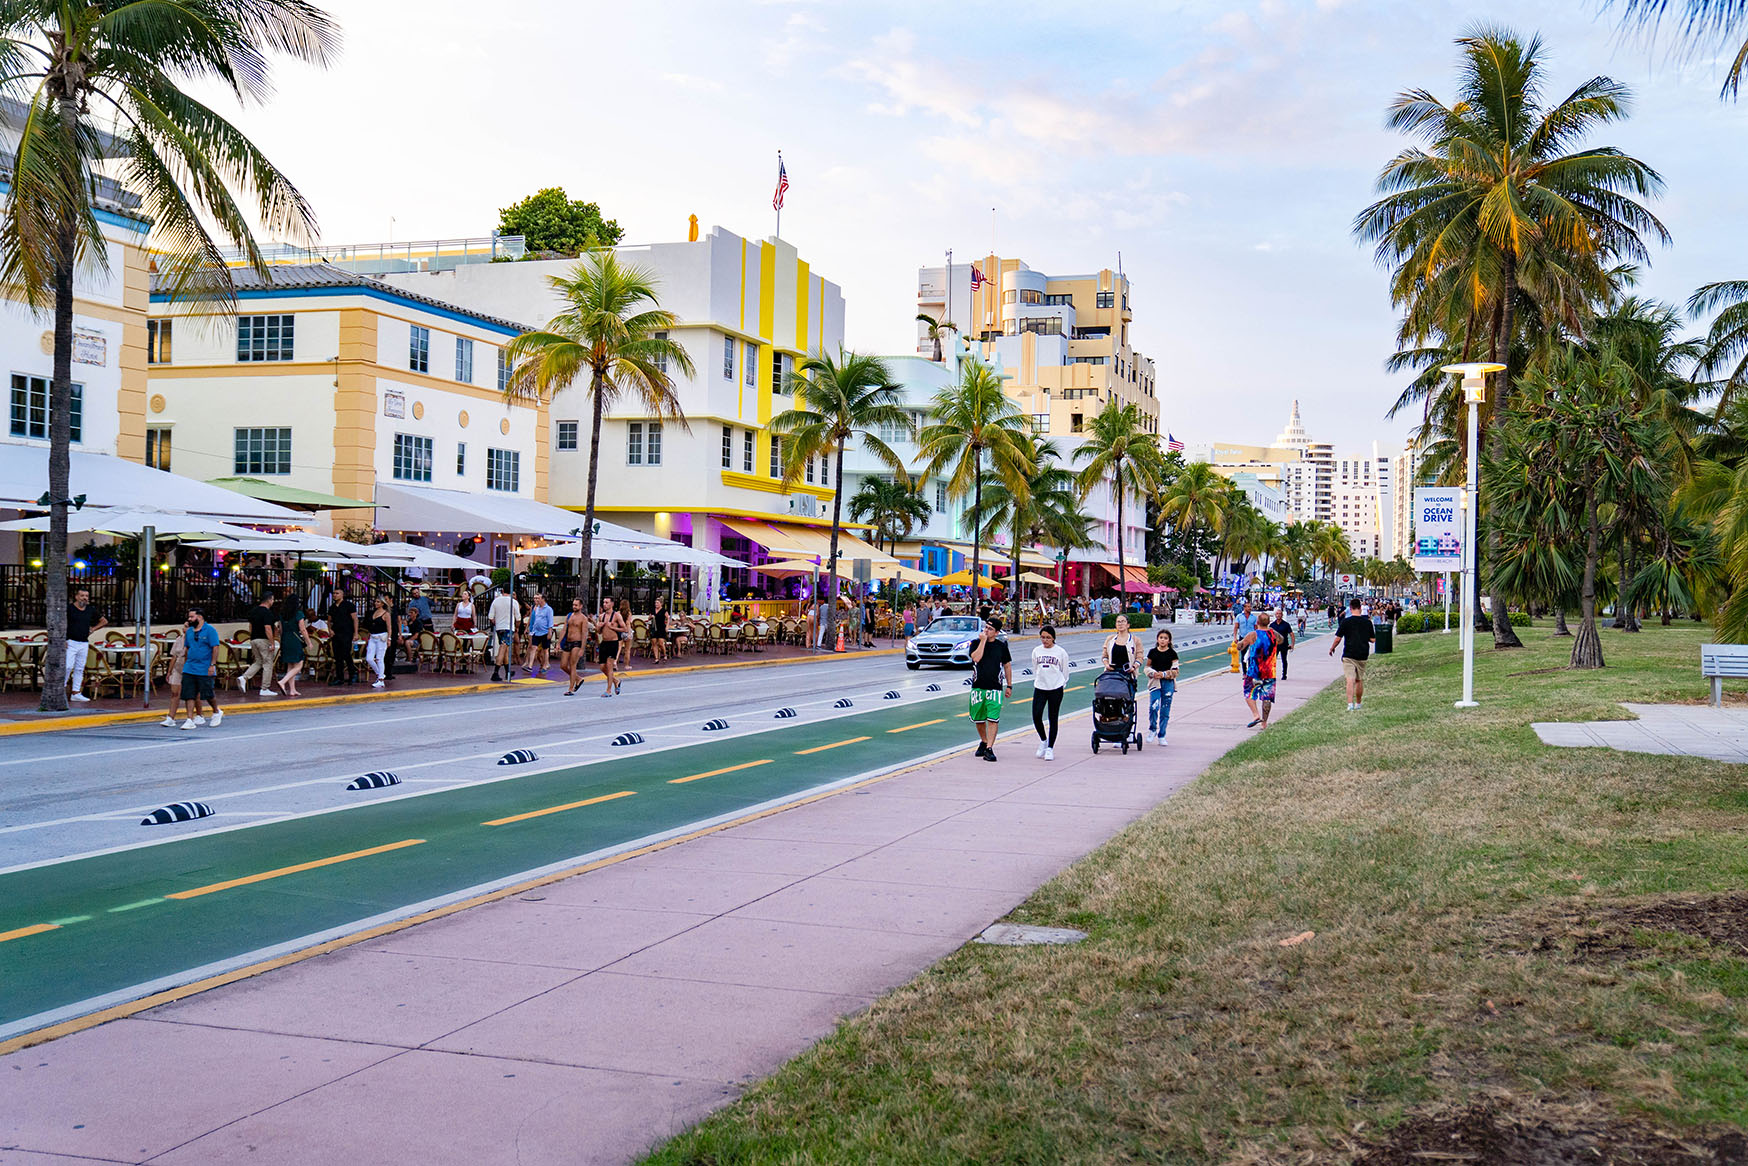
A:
1487,927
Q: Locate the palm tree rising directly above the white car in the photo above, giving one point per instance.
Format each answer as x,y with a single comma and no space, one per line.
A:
973,424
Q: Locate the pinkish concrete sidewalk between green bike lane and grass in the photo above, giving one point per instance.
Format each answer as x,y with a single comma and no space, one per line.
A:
588,1020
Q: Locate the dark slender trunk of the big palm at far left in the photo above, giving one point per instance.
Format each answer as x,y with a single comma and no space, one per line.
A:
60,462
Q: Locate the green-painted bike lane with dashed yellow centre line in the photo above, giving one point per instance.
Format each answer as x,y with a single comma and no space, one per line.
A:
83,933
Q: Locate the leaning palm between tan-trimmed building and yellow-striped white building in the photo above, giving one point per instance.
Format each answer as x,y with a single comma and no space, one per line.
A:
614,330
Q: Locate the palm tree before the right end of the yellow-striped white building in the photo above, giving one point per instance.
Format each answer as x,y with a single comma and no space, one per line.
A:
836,401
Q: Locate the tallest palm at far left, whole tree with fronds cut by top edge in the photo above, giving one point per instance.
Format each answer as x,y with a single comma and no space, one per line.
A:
102,81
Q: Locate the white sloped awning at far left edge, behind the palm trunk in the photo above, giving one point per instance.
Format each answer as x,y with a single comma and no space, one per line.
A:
111,482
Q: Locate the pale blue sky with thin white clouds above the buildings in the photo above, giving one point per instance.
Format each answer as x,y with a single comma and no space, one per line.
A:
1223,149
